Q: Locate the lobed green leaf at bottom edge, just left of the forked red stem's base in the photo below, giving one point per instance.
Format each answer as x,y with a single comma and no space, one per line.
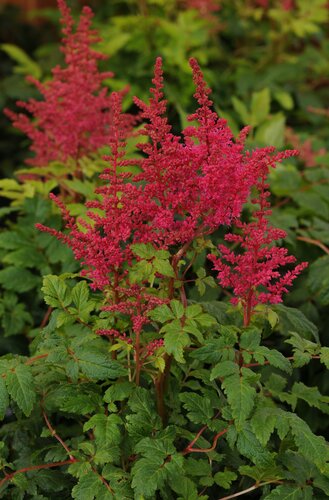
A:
160,463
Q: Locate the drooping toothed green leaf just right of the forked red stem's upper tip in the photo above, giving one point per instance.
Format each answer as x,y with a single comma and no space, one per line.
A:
240,395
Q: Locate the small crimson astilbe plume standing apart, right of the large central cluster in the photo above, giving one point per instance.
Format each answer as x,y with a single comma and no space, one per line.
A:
255,274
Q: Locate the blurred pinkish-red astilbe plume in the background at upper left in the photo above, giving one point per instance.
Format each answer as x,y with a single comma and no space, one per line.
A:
74,117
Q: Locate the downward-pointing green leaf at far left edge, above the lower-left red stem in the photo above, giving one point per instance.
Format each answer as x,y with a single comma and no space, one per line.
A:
20,385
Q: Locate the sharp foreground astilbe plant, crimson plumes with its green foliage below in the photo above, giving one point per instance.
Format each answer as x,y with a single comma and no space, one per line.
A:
214,398
